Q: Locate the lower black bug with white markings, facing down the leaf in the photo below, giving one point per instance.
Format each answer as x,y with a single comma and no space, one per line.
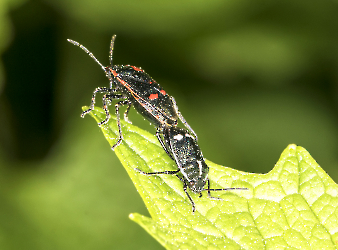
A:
192,170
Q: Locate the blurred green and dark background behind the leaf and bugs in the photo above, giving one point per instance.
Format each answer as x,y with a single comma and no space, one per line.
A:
249,77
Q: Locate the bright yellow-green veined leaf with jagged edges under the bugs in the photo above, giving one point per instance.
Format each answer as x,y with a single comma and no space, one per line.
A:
294,206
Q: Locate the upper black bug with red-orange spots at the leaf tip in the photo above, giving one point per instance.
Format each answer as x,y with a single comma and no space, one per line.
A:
136,88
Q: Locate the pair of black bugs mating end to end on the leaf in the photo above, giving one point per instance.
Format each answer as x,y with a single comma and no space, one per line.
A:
137,88
